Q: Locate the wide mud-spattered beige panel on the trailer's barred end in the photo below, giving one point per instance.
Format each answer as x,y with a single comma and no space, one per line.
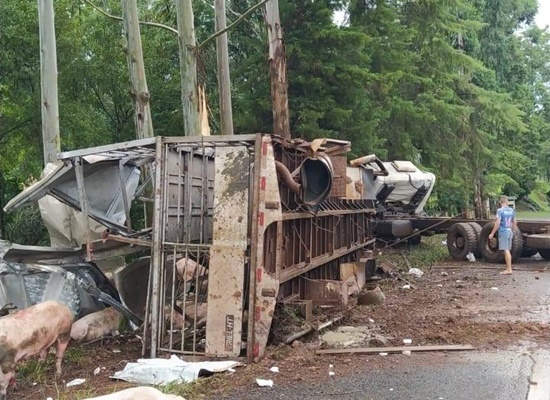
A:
228,252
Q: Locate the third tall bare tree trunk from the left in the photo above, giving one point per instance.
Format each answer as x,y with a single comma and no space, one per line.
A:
188,68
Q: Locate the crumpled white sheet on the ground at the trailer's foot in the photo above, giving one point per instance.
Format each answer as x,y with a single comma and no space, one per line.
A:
160,371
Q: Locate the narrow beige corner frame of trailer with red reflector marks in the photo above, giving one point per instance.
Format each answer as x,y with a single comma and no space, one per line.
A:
264,286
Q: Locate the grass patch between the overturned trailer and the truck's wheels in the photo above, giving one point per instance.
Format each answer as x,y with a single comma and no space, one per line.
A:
429,252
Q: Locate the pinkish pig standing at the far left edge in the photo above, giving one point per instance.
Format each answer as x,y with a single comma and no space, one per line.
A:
33,331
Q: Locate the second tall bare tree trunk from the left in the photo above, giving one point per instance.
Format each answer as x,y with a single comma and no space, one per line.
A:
138,81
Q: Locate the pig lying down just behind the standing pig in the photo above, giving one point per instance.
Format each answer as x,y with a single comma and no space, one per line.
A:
96,325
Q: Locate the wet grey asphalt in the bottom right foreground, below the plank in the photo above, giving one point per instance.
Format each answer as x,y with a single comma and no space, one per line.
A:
517,374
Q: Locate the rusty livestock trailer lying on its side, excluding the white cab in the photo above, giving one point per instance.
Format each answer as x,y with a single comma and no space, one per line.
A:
238,224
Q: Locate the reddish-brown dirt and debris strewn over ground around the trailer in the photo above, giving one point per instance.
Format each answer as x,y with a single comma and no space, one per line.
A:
453,303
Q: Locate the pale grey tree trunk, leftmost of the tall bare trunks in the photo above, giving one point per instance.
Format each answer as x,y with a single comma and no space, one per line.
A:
48,79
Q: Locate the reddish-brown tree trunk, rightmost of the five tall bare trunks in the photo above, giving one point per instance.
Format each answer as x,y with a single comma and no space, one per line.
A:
277,70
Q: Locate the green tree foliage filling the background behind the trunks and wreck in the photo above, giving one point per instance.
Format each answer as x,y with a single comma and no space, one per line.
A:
460,87
